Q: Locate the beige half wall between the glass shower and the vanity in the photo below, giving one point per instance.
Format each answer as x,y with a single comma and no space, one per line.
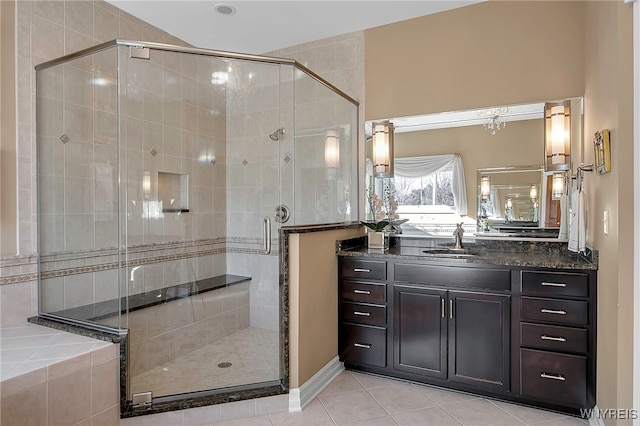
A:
313,301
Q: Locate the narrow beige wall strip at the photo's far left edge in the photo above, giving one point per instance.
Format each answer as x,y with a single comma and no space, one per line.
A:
7,130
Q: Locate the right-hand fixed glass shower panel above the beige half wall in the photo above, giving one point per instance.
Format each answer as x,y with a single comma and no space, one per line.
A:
325,173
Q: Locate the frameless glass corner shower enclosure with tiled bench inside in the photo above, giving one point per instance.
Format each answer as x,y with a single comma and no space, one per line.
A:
164,175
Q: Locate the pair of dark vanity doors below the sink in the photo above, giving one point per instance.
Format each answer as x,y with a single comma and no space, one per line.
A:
461,336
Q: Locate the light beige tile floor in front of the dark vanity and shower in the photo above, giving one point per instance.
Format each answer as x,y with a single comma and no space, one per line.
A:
361,399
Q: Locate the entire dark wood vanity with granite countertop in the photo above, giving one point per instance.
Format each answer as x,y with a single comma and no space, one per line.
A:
502,324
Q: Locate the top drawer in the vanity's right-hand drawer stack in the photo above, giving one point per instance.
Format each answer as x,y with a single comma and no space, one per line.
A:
555,284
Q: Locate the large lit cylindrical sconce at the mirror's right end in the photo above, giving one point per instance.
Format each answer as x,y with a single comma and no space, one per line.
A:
557,136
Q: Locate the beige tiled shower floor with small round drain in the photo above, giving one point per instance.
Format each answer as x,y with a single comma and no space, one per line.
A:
252,352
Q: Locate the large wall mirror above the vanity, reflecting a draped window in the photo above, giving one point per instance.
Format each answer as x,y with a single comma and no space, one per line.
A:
505,143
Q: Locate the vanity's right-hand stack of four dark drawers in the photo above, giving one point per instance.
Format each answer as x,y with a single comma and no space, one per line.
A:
557,355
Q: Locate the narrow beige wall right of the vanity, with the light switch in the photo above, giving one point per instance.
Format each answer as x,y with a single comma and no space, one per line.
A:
609,104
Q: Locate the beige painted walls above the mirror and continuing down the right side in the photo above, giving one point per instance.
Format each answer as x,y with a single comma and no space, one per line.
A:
460,59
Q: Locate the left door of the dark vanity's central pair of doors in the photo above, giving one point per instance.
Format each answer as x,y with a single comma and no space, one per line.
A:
420,332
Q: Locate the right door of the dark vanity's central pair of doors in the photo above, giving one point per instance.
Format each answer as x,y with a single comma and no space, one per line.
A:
479,330
